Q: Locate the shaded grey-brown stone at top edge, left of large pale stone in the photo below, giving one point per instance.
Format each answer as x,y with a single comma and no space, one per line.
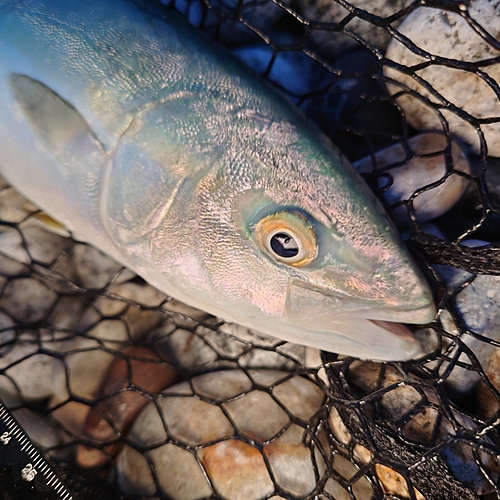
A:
333,43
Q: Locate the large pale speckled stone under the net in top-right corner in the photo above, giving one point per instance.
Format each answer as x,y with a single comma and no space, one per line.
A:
447,34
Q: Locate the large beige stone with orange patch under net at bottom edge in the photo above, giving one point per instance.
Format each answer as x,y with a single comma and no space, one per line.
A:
258,406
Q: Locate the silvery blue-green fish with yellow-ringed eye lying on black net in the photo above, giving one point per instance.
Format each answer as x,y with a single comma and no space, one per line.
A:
148,141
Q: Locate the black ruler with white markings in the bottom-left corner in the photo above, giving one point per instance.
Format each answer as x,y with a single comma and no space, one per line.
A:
24,473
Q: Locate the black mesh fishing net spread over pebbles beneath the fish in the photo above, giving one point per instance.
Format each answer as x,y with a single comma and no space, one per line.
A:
132,394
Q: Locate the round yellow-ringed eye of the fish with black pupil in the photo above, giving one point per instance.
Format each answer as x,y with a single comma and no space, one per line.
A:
288,237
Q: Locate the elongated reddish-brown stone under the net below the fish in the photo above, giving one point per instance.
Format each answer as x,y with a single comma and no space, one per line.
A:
140,370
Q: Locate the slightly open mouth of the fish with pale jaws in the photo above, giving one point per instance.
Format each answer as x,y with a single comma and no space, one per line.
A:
356,327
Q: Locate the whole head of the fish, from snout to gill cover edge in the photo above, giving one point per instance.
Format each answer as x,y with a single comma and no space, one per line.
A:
260,220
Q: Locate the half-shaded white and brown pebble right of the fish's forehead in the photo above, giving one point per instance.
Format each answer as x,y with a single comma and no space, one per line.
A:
410,170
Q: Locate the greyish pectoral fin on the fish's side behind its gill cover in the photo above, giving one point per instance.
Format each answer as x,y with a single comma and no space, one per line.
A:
57,122
